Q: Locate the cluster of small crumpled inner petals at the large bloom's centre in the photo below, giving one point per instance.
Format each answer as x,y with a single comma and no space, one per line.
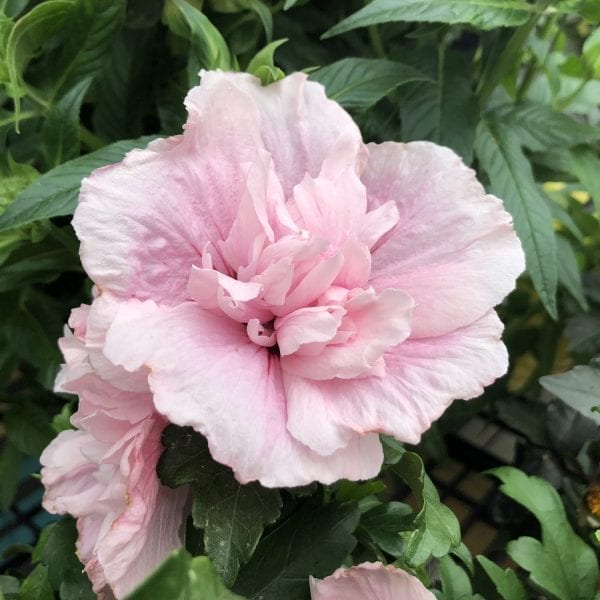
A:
295,272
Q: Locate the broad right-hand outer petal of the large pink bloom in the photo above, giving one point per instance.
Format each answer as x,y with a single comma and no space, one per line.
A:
454,249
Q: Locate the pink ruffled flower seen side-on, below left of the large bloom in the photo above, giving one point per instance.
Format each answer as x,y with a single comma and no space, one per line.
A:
104,473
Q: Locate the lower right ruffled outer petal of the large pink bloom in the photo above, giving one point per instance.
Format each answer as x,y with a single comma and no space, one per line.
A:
422,378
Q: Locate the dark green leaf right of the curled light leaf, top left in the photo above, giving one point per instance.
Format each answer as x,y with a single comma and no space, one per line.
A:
90,27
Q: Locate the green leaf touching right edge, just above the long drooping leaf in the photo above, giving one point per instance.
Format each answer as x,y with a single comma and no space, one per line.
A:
540,128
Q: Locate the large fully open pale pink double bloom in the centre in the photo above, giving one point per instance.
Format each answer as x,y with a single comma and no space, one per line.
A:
292,291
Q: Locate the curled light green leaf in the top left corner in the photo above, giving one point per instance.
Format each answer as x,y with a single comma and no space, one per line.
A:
30,32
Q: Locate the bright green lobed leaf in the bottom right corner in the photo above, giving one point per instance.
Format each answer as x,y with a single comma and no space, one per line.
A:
562,564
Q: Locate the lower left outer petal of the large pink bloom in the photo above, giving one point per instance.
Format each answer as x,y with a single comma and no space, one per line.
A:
207,374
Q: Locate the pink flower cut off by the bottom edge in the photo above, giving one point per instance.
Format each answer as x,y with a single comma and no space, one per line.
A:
369,581
